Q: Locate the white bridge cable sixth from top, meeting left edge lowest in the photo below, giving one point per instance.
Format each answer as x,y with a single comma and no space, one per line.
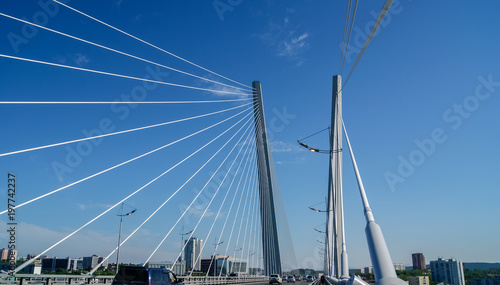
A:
126,162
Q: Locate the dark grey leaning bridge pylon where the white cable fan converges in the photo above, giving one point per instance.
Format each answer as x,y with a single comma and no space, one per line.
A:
270,243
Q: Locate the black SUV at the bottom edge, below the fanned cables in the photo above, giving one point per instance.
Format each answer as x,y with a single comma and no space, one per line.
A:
139,275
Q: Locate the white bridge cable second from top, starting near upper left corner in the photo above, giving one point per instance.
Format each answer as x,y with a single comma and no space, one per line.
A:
120,52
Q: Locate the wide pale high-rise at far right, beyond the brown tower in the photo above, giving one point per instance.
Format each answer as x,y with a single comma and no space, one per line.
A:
450,271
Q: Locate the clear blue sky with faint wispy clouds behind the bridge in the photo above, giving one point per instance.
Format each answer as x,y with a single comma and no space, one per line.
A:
420,109
